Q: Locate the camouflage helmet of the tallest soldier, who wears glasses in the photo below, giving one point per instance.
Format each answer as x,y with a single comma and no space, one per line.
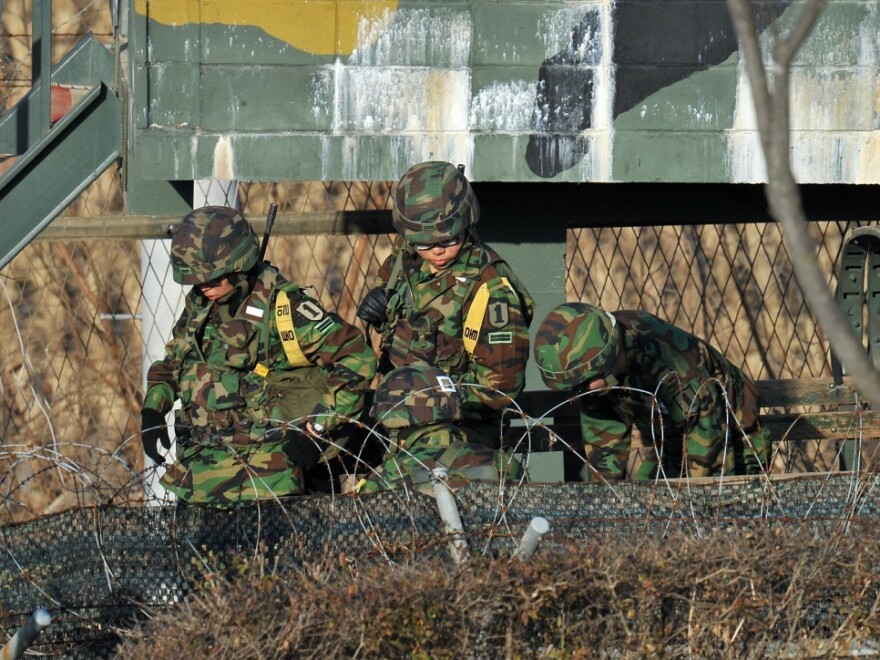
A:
433,201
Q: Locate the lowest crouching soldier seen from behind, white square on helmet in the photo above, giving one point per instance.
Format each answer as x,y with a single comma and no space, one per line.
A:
419,407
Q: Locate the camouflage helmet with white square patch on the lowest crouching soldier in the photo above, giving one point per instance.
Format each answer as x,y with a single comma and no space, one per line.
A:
415,395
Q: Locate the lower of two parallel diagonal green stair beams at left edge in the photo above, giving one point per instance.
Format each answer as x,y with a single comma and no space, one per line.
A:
78,148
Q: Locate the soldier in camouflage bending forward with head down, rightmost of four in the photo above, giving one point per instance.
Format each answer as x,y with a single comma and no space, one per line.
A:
697,413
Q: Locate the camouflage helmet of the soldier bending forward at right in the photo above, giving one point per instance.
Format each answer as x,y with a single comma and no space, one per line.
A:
575,342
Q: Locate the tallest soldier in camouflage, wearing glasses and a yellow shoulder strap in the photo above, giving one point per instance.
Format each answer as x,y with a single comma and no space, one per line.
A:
445,299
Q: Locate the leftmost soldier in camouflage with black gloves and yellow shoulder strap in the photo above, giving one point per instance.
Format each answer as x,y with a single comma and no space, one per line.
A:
250,352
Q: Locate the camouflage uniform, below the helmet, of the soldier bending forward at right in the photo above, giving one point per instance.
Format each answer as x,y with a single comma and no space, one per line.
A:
674,390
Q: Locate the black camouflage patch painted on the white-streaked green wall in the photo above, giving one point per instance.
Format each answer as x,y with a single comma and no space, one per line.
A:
644,32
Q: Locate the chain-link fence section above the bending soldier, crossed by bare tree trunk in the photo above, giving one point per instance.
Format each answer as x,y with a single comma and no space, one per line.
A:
732,284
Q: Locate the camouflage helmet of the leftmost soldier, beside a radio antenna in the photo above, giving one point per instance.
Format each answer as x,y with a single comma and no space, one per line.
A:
211,242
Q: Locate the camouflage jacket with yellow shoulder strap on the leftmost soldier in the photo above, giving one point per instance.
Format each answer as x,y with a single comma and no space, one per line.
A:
235,376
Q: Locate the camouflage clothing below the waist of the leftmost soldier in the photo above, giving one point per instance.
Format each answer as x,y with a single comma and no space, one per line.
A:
224,474
